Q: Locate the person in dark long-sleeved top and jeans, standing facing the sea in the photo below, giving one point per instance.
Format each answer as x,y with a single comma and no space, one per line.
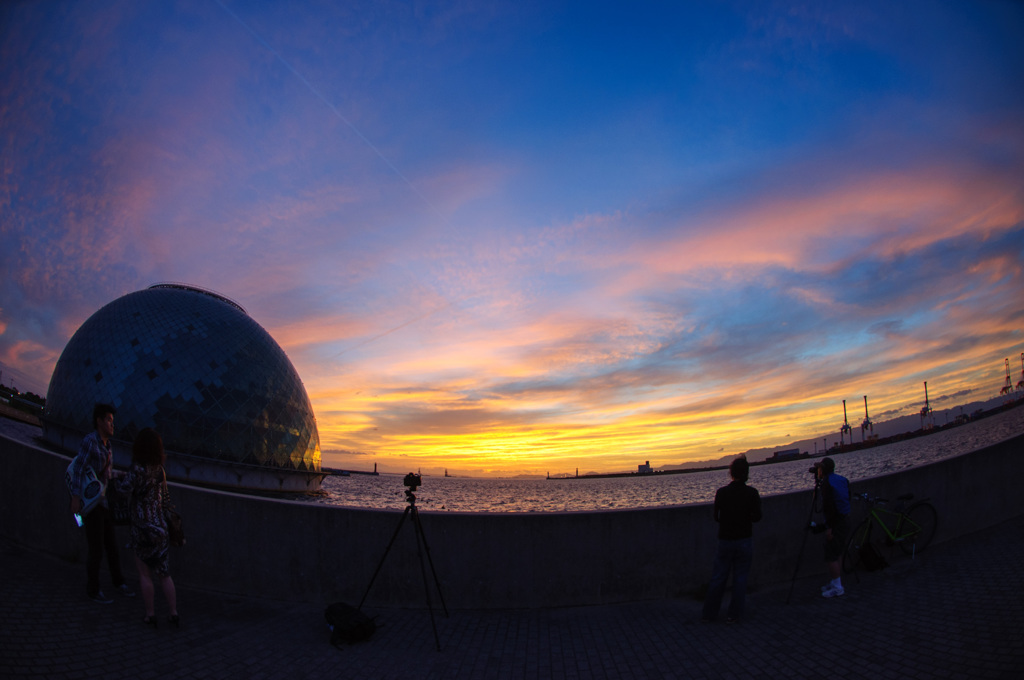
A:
737,508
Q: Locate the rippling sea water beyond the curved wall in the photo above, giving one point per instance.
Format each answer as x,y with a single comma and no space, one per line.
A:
538,495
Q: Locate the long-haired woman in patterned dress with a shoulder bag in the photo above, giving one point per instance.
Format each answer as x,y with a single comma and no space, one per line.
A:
145,482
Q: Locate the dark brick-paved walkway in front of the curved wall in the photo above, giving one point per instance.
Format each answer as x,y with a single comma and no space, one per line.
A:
955,613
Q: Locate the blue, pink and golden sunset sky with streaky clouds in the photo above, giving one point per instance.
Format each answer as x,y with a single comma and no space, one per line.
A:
521,237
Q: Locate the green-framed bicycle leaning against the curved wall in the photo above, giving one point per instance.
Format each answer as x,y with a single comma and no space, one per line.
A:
912,530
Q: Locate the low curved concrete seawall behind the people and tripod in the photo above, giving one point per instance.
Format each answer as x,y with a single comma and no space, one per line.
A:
295,550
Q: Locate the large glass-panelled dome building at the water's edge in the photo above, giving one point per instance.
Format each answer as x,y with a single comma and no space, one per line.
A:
194,366
